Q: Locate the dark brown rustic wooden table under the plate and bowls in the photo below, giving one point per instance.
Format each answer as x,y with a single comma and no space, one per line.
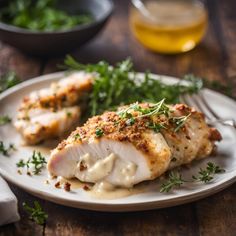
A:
214,59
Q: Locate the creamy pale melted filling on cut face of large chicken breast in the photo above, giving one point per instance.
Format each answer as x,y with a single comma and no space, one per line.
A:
98,171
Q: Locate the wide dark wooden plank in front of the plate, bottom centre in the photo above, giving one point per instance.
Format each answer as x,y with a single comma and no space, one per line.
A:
172,221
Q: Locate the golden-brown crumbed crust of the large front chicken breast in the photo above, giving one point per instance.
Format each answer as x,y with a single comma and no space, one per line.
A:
117,129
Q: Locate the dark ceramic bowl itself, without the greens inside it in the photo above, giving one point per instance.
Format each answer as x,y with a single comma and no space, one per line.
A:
59,42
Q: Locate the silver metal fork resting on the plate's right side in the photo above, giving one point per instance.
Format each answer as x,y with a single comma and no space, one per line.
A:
199,102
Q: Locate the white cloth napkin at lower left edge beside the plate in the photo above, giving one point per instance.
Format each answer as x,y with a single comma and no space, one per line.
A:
8,204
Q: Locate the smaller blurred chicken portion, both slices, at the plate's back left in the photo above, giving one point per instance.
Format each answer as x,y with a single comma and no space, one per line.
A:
54,111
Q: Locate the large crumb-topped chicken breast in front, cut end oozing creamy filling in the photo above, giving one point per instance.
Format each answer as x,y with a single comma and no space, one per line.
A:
139,142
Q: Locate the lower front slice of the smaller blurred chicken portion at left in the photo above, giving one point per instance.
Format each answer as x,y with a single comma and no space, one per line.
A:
42,124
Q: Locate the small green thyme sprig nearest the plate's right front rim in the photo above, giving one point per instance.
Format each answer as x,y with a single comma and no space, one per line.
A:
207,174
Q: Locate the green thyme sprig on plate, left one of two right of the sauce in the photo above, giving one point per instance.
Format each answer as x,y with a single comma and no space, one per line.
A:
175,180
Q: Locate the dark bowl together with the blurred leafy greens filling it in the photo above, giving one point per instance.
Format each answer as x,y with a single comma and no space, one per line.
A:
50,32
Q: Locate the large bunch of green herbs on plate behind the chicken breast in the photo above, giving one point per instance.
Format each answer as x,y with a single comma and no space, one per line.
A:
114,86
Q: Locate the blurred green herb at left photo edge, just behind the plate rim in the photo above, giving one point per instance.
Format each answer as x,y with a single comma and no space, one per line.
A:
8,80
